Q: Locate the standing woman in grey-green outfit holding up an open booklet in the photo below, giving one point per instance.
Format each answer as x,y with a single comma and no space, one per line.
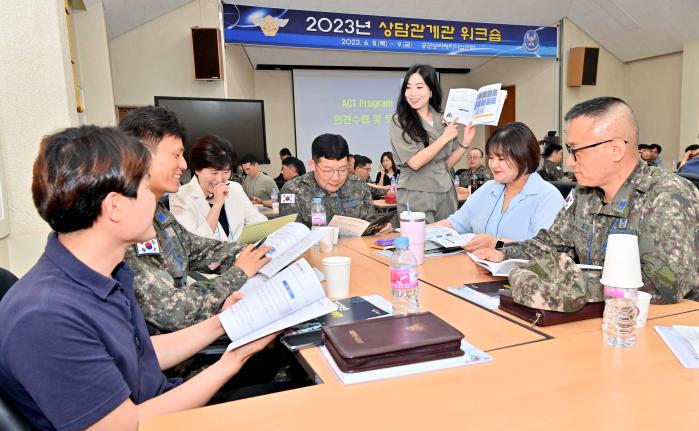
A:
424,147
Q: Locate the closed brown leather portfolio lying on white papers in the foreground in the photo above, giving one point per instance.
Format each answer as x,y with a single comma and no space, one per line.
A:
390,341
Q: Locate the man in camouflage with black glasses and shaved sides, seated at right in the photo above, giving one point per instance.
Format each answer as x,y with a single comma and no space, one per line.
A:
617,193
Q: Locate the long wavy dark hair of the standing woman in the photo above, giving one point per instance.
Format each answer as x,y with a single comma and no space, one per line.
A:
408,118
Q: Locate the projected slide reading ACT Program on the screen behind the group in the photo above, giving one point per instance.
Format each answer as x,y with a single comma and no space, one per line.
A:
356,104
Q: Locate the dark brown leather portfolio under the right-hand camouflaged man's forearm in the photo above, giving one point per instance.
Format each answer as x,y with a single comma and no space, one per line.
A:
541,317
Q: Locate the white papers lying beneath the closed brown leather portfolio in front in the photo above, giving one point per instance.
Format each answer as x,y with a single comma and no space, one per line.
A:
472,355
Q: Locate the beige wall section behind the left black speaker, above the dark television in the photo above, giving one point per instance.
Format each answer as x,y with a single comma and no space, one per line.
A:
156,58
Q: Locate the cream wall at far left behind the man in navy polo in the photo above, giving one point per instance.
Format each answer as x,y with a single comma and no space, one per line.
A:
37,98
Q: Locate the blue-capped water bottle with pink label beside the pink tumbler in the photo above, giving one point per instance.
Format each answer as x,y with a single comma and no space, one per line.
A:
404,282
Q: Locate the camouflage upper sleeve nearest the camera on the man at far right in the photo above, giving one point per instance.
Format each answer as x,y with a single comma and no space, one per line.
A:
668,243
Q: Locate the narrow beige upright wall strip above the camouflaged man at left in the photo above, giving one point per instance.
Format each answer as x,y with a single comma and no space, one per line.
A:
92,56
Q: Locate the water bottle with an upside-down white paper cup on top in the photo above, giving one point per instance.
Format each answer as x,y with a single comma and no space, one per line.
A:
619,320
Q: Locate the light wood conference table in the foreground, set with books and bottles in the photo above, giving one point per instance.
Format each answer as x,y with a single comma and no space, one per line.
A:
540,378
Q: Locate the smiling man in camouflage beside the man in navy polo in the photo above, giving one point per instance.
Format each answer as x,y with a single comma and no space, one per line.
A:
161,265
